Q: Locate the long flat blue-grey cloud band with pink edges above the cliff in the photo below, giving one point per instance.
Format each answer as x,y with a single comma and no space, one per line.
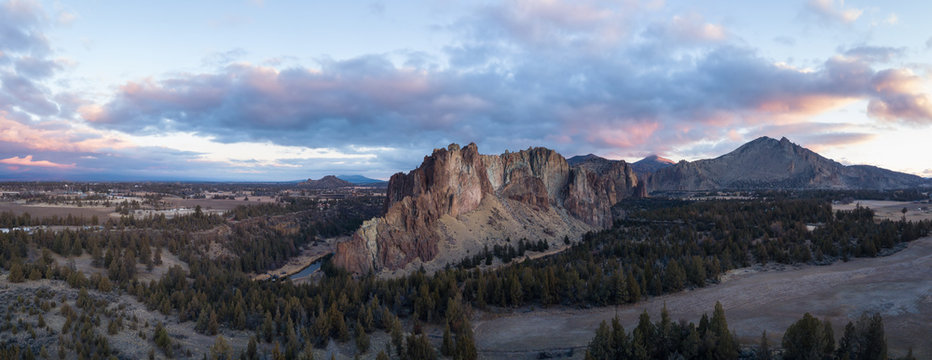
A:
576,103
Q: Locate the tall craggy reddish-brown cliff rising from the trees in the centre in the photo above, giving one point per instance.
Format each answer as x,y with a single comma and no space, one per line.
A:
458,199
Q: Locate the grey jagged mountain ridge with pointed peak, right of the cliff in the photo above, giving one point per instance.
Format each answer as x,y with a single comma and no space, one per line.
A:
766,163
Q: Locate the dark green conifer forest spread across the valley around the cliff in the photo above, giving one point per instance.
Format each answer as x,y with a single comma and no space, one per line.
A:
659,246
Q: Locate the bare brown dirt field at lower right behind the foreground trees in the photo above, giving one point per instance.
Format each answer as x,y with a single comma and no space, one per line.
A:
898,286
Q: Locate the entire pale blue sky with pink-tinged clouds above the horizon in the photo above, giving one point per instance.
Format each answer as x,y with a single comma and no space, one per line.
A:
288,90
